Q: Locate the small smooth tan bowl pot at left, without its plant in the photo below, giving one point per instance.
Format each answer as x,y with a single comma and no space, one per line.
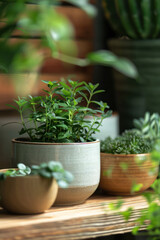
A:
28,195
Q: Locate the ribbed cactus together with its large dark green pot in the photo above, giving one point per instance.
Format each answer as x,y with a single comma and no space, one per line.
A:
137,24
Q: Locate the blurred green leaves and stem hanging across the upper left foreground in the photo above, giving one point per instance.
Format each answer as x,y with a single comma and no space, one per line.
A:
54,29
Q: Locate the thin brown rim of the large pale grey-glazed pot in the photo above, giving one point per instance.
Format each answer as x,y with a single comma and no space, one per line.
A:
22,141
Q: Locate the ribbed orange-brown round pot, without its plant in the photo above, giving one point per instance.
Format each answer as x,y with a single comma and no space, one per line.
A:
139,170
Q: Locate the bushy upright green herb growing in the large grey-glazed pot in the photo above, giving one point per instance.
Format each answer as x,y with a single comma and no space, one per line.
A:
64,114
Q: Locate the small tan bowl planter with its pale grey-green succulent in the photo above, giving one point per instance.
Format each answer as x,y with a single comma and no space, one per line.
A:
32,190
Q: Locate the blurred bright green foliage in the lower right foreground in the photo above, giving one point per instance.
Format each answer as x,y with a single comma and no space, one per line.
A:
149,218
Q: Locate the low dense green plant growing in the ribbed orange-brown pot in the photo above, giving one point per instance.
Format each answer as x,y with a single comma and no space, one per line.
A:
130,142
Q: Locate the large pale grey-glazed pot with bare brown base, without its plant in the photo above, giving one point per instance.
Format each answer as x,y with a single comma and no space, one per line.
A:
81,159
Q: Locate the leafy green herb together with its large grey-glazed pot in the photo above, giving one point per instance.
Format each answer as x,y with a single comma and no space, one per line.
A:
58,129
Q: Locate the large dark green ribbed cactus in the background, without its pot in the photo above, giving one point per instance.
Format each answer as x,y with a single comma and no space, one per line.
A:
137,19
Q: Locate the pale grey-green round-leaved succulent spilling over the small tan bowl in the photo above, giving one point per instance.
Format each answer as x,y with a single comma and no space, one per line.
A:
51,169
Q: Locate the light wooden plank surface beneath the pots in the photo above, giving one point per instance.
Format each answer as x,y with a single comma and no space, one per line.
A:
91,219
